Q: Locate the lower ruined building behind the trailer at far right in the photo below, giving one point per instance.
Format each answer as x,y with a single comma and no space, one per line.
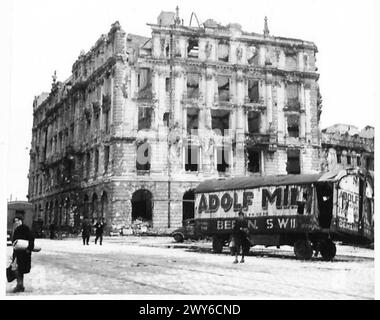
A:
344,146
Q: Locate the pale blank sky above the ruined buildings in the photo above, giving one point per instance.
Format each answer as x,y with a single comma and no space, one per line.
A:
45,36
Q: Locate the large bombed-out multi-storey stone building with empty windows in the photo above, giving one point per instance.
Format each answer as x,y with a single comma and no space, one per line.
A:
142,120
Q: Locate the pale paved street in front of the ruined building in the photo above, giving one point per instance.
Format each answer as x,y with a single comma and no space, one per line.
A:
159,266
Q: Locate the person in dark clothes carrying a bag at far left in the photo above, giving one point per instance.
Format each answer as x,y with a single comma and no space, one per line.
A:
21,259
